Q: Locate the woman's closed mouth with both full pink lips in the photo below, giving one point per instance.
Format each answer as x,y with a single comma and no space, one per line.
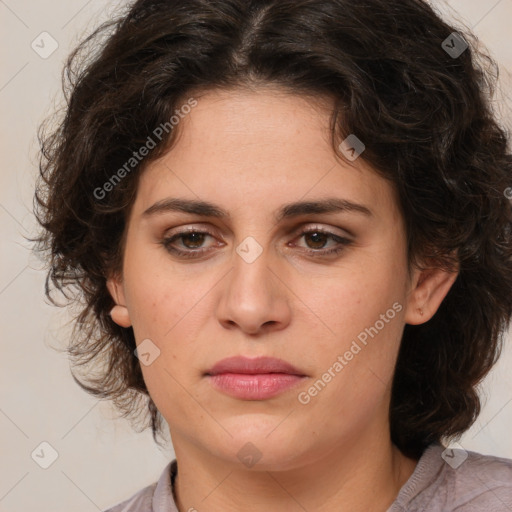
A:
253,379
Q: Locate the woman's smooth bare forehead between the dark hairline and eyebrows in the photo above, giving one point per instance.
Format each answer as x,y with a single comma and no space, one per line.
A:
265,145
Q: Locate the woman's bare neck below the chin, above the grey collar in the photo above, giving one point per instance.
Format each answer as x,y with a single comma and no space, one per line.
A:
355,477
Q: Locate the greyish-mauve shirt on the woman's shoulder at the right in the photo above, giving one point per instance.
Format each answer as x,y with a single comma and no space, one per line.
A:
457,480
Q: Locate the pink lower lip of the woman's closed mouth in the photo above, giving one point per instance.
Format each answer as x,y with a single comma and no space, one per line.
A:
254,387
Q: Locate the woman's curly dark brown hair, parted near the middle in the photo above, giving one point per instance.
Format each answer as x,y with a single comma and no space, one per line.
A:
401,79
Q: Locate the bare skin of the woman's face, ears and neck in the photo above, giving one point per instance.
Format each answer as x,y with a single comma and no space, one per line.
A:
251,152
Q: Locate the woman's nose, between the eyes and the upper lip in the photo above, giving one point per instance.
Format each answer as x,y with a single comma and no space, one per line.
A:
254,296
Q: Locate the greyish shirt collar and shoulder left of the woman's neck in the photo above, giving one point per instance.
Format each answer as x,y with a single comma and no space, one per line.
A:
152,498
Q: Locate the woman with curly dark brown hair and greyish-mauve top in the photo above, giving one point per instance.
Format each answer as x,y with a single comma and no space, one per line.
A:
289,224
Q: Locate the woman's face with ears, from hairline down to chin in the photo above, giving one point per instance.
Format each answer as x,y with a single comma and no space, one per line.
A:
325,290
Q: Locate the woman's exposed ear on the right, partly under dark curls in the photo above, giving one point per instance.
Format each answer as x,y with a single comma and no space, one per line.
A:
429,288
